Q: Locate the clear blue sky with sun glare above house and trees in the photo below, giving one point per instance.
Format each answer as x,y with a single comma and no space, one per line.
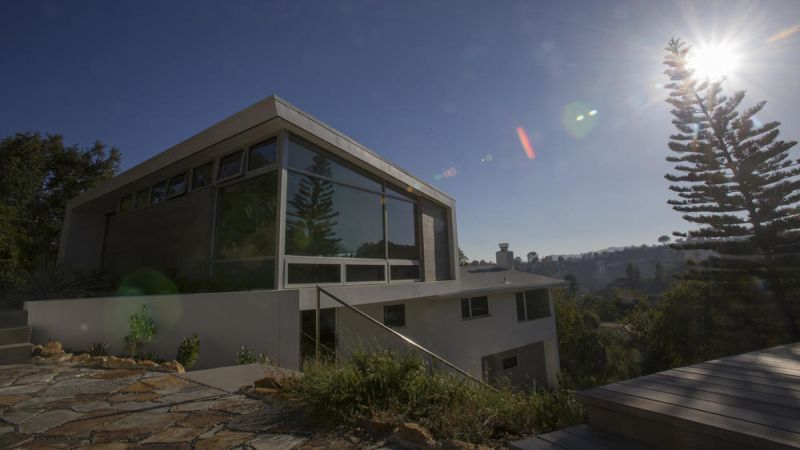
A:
431,86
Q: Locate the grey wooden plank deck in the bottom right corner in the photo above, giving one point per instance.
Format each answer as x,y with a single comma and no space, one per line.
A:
748,401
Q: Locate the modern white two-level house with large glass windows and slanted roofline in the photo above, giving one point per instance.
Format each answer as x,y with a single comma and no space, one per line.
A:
240,223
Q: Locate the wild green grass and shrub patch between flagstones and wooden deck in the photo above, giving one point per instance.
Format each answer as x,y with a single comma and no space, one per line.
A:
397,387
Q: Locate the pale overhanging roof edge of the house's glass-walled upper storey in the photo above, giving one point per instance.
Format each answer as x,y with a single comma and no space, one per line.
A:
259,113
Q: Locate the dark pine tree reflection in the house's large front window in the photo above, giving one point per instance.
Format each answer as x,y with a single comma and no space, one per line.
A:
311,231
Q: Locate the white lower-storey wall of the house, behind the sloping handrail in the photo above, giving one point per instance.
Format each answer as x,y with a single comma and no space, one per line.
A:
437,325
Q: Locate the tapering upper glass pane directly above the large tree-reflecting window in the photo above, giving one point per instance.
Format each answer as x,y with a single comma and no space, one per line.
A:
307,157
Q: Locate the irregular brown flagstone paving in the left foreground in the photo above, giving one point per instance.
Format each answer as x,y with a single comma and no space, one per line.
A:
62,406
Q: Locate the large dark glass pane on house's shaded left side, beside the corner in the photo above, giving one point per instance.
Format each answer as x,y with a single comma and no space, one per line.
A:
246,219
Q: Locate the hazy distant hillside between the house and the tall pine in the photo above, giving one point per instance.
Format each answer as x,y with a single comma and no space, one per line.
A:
595,271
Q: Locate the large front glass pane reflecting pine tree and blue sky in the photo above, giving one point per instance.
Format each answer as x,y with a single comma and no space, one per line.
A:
328,219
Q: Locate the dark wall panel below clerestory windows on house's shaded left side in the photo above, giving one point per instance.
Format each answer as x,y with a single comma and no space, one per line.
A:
173,236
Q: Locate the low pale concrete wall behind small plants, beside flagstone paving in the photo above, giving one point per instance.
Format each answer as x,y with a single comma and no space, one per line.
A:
267,321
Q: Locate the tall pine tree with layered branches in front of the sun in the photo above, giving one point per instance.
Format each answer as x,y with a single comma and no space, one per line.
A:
737,181
